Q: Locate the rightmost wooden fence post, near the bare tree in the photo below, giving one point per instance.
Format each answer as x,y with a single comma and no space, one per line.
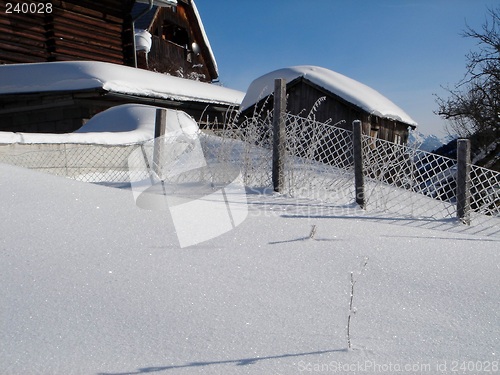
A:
463,180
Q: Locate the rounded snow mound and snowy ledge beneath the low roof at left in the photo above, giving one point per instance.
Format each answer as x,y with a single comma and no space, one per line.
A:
124,124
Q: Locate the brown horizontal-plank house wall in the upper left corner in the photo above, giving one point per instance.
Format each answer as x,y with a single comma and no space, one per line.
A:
72,30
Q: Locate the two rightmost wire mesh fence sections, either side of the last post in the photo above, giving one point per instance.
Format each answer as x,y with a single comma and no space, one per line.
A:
420,184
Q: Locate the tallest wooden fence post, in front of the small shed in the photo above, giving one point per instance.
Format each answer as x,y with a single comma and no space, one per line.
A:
279,134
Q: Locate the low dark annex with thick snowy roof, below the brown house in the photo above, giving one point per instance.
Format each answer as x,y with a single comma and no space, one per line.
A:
59,97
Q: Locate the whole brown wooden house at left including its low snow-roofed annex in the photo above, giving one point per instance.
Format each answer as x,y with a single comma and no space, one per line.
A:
76,58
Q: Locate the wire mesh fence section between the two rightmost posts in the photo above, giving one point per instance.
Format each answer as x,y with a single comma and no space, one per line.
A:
408,181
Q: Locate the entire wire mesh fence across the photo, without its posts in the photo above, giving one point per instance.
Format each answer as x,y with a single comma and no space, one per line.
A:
319,164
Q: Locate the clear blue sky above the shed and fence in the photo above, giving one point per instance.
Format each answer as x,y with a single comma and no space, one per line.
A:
405,49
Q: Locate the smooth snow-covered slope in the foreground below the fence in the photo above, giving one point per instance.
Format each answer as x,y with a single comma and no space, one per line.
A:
92,284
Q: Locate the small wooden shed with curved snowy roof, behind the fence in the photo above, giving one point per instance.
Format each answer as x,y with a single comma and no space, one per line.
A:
344,99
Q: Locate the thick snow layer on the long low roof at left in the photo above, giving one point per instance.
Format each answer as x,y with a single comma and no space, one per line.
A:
80,75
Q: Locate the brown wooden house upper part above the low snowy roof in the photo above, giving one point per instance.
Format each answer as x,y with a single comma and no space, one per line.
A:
170,37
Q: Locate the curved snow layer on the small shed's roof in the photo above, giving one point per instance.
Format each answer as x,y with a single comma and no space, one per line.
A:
347,88
